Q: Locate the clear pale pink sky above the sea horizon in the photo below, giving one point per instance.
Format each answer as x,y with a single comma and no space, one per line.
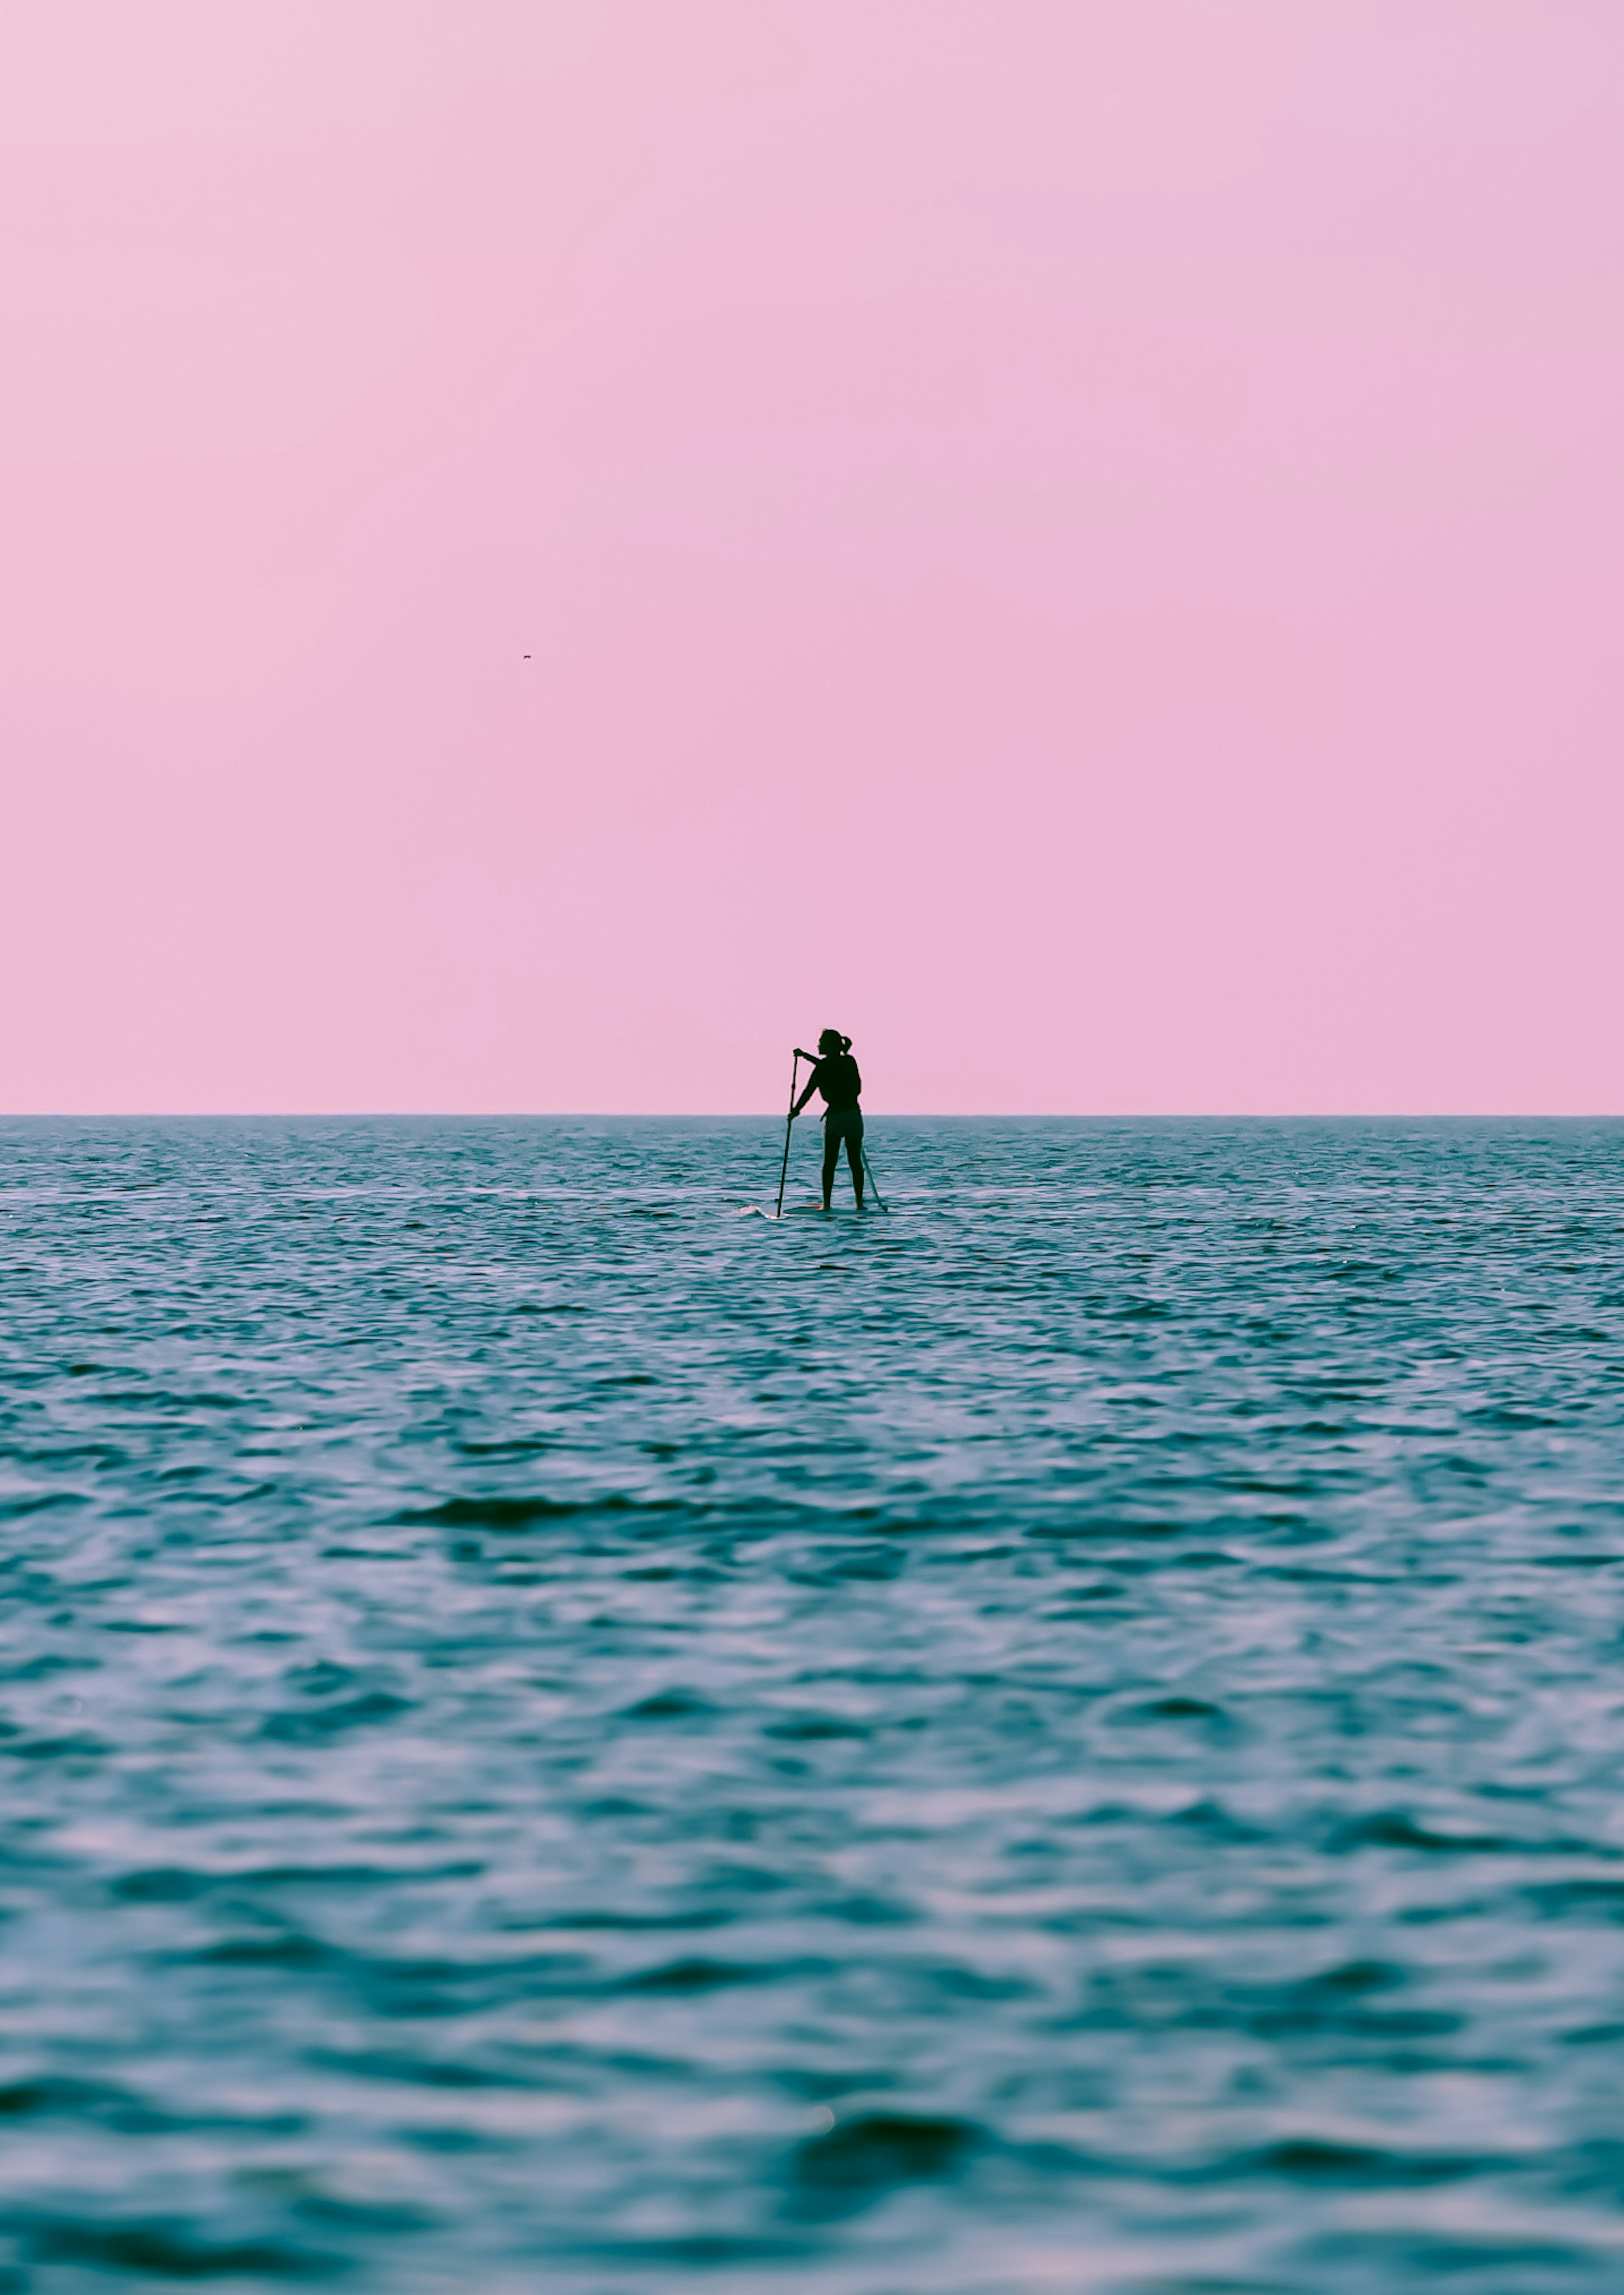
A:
1077,540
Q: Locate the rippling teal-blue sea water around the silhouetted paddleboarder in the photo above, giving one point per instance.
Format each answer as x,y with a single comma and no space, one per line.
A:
565,1736
